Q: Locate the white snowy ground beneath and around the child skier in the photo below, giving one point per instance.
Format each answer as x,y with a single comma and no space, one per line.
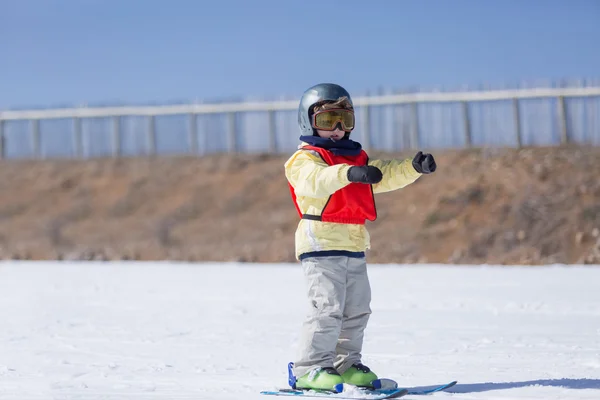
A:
227,331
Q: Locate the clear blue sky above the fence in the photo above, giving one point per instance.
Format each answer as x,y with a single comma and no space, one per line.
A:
69,52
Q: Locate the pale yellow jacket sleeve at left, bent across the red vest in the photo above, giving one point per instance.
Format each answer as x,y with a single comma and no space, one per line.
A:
312,177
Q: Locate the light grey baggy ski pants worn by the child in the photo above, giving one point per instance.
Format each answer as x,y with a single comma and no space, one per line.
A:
340,295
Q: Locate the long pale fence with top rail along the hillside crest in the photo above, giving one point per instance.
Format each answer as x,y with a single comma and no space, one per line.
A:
418,124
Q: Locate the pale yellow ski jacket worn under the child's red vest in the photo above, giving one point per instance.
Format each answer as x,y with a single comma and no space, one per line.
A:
314,181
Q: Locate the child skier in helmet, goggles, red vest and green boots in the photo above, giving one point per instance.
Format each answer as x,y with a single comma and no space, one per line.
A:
332,182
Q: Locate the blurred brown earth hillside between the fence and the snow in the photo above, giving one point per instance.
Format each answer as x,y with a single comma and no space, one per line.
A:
529,206
